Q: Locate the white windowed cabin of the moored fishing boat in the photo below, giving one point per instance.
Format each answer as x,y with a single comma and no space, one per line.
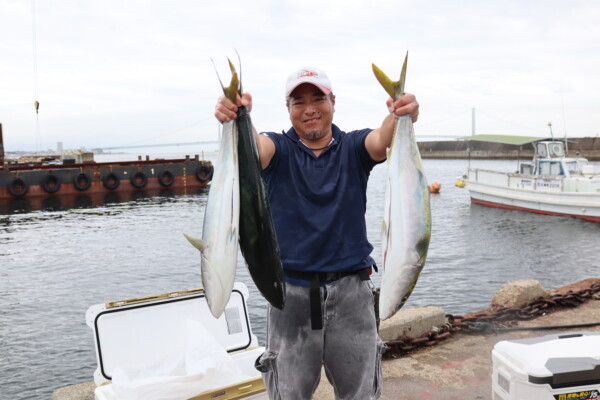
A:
549,159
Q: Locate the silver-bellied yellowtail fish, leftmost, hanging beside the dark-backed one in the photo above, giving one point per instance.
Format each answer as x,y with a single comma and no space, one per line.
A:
219,243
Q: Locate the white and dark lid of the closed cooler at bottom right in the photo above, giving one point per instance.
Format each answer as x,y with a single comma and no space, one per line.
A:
560,360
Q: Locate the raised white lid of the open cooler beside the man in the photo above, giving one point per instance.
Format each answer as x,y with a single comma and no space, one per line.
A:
135,331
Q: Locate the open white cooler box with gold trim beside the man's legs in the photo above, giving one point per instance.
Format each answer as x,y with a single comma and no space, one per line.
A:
133,332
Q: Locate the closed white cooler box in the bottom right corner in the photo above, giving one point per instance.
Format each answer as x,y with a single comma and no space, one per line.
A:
554,367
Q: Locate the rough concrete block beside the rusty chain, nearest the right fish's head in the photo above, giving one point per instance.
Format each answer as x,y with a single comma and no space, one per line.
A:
412,323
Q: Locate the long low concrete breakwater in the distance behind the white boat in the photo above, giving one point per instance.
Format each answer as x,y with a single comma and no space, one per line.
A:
588,147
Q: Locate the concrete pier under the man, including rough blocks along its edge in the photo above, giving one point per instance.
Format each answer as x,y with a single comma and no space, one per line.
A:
460,367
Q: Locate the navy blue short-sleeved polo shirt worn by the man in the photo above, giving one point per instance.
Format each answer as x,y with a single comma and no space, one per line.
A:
319,203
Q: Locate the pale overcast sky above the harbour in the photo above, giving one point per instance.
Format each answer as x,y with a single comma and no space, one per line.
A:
114,73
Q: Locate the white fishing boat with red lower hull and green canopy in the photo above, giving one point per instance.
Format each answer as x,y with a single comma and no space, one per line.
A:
550,184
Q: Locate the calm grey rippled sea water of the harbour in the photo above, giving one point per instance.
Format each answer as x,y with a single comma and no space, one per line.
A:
55,263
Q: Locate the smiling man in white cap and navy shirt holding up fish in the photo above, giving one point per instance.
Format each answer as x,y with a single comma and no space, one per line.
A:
316,177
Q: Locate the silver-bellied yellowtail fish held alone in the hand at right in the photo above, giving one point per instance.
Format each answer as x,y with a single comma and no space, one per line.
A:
406,226
